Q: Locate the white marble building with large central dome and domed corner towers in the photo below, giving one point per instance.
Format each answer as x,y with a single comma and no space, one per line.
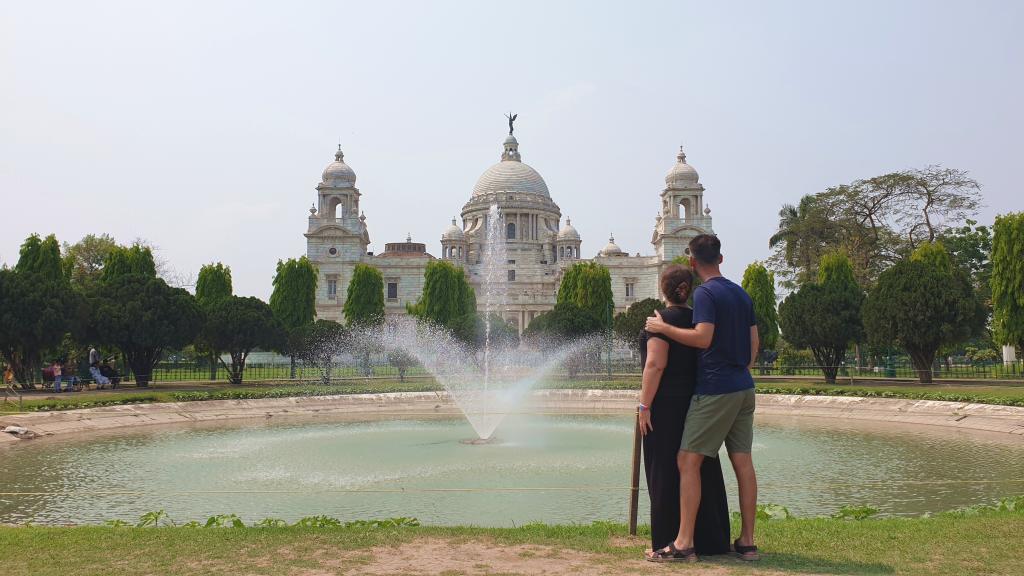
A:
540,246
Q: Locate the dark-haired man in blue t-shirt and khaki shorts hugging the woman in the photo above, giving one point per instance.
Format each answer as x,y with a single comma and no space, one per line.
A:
722,410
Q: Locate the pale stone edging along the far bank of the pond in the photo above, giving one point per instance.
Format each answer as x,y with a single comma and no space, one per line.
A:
967,417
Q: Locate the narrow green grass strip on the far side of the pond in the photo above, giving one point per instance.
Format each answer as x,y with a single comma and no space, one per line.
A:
1012,395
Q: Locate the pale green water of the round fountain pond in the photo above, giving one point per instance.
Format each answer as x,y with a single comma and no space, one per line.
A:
297,468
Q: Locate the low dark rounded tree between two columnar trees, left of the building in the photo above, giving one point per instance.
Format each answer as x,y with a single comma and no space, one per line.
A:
238,326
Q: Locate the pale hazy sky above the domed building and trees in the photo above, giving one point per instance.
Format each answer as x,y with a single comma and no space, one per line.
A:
204,128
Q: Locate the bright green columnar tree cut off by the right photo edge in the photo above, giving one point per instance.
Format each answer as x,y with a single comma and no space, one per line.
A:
1008,279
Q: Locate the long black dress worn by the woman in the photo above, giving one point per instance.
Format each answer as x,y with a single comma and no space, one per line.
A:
661,448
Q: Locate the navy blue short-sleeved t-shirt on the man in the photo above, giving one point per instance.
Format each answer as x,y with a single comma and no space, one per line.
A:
723,367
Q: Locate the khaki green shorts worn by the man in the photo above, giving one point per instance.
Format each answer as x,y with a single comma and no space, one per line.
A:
717,419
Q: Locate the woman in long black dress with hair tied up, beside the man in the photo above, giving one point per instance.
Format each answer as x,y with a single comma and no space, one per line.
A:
669,378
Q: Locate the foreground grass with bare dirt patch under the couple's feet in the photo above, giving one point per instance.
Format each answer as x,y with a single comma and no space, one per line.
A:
984,544
